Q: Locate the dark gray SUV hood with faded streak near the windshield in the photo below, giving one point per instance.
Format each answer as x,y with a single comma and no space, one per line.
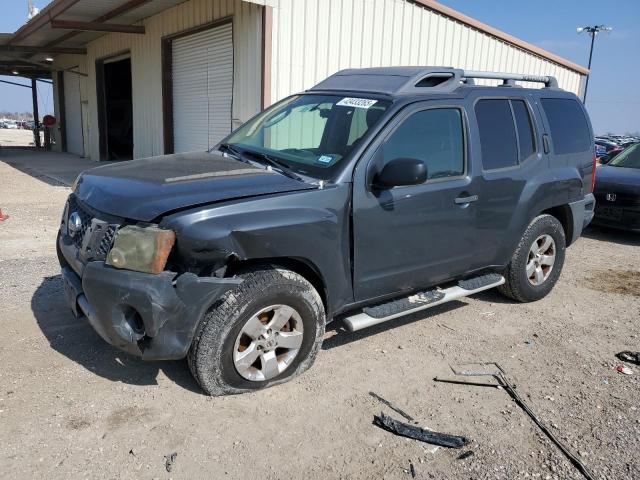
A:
147,188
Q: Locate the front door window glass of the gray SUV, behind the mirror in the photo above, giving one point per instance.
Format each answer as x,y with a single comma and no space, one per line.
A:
433,136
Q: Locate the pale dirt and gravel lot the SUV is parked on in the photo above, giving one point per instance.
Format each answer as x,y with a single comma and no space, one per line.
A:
72,407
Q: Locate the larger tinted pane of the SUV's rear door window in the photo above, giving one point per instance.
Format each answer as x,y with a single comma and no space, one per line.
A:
497,134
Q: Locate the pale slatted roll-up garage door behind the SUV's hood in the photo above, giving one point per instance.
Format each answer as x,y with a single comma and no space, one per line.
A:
202,67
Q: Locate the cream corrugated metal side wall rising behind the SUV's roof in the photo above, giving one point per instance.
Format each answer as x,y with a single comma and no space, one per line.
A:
313,39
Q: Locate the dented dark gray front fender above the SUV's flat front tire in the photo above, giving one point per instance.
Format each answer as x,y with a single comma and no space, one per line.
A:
312,226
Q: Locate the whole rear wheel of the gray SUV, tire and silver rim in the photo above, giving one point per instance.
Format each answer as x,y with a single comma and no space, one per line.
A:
537,262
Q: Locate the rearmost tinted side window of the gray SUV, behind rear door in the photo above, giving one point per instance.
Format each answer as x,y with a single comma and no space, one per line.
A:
569,127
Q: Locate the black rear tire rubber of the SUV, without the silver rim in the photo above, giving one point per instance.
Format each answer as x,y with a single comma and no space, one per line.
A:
517,285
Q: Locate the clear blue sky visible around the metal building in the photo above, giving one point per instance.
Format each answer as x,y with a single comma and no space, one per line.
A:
613,98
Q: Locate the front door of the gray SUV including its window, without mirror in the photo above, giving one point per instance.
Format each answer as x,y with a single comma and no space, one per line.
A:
415,236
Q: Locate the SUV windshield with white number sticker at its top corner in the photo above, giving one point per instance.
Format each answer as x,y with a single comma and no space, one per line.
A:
309,134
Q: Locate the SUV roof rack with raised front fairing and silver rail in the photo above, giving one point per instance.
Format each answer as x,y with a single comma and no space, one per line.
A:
406,80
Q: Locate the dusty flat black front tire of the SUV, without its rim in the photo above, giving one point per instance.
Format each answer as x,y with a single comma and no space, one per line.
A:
211,354
